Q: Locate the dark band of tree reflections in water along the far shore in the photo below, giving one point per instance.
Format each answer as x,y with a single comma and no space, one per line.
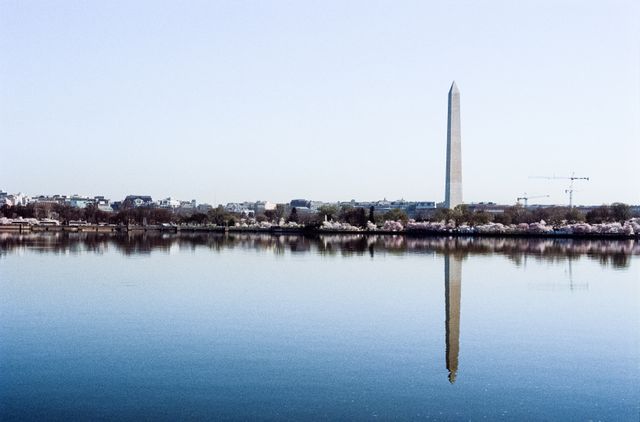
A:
616,253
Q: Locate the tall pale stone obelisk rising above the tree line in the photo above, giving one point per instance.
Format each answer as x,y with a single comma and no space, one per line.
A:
453,187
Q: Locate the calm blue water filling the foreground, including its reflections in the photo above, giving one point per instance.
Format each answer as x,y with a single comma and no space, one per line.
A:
168,327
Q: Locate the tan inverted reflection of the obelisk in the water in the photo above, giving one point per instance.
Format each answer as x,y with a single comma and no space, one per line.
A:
452,286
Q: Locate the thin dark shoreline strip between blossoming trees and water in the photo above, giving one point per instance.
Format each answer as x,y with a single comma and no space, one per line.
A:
114,229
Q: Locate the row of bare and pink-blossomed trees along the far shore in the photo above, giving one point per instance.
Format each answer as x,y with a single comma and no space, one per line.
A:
610,221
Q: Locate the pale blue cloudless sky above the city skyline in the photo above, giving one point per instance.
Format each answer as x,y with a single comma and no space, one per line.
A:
225,101
